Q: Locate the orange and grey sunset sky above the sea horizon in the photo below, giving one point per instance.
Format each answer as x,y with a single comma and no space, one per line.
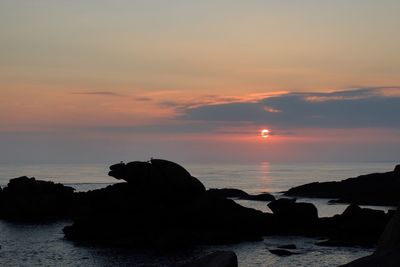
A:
196,81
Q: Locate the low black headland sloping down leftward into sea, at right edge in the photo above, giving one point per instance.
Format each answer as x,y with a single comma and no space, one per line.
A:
370,189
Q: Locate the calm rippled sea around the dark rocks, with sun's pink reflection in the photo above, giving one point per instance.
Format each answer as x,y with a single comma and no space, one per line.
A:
43,244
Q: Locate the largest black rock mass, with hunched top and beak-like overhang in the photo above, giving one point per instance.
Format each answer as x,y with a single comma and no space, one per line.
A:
161,205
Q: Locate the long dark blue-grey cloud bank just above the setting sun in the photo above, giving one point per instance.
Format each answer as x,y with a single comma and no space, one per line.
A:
364,107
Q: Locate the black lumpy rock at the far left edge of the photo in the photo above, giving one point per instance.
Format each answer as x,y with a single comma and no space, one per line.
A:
28,198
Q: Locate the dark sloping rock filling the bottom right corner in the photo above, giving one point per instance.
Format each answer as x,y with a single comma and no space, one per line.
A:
387,253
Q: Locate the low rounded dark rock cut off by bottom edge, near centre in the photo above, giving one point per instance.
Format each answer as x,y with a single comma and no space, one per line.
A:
215,259
